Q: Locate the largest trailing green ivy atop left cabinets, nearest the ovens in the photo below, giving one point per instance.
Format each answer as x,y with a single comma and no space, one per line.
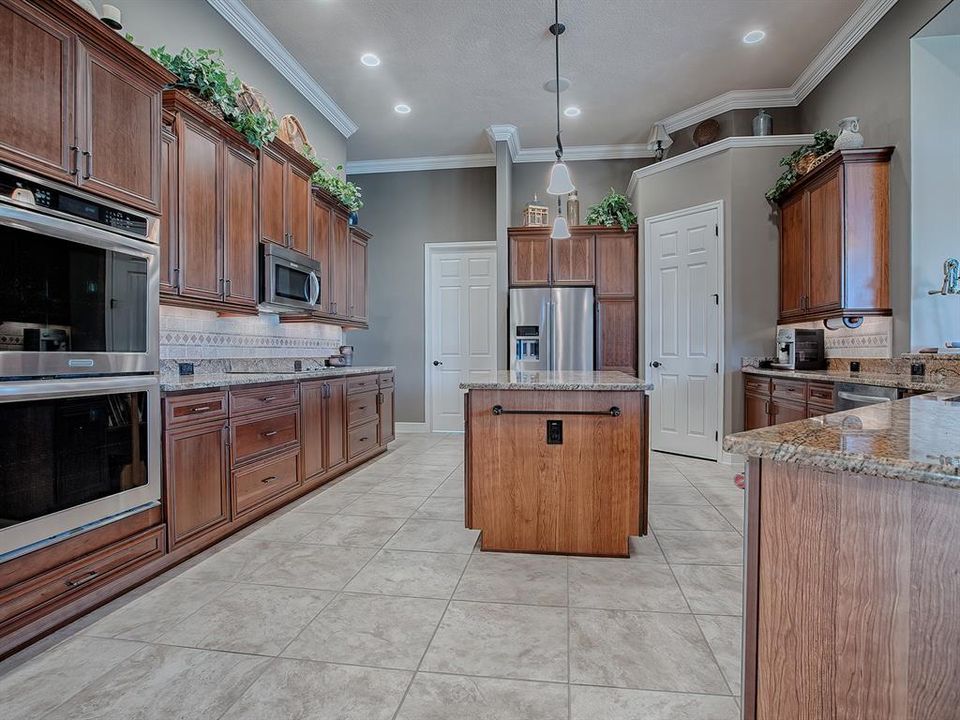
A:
203,72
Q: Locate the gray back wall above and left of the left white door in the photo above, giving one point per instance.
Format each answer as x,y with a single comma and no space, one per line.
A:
404,211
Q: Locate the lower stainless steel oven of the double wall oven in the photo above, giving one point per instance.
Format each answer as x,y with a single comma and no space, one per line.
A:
75,453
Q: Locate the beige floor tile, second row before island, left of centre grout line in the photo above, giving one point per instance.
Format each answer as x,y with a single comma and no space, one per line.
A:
507,641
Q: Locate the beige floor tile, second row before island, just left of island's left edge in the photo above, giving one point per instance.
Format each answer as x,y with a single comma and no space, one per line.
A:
372,630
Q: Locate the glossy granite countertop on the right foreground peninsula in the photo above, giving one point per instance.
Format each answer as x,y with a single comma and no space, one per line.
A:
914,439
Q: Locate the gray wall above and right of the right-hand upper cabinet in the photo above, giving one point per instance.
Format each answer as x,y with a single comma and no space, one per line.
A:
873,82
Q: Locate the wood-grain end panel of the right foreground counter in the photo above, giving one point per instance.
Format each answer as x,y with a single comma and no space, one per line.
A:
853,596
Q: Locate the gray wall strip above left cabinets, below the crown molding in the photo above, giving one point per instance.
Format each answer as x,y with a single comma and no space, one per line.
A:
194,24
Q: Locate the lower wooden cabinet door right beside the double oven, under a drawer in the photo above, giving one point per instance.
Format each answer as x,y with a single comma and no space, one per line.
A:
195,480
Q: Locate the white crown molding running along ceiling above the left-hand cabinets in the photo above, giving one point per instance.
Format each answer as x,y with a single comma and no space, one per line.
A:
265,42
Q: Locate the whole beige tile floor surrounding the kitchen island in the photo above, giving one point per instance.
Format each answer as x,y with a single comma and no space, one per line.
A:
367,600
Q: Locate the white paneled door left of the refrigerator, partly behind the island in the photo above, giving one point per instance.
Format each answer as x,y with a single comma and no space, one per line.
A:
461,317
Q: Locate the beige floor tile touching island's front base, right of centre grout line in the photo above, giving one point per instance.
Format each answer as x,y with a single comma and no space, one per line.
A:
624,585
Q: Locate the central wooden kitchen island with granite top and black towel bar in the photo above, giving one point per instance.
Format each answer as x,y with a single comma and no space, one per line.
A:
556,461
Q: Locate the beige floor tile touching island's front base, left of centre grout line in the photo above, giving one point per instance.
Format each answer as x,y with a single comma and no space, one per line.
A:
510,578
